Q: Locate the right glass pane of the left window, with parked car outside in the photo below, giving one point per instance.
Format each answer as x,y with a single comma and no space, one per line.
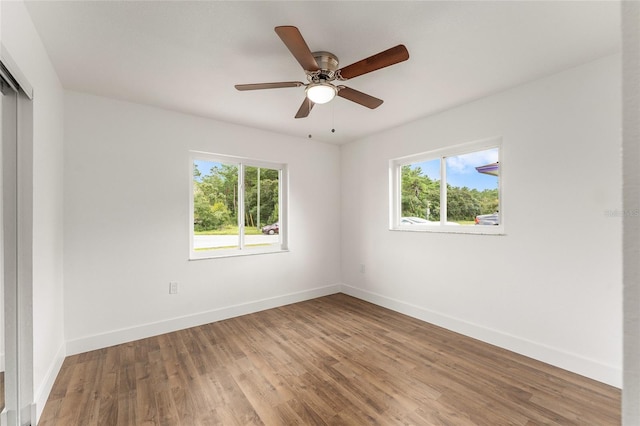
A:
261,207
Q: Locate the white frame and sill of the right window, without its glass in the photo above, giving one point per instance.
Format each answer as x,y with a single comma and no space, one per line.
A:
395,188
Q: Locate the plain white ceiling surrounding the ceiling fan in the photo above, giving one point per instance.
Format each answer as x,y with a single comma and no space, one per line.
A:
187,56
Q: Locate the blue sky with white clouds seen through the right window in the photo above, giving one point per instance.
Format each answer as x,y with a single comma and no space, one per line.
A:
461,169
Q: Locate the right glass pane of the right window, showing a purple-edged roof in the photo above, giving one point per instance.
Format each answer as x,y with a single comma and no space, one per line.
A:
472,188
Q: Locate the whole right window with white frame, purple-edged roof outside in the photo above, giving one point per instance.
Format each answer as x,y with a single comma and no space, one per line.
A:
456,189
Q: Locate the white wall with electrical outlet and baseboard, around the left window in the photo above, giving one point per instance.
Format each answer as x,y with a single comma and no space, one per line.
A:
126,223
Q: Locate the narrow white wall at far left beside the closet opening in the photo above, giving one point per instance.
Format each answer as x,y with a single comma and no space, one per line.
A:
25,47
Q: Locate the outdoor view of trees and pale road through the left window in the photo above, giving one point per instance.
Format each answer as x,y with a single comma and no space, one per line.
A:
217,209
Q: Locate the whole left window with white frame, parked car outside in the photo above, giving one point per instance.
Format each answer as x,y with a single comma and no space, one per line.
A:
238,206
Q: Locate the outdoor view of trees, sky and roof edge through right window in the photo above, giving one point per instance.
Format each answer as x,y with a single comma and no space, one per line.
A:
471,189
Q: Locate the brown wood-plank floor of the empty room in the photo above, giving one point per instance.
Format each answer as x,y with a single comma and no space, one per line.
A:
335,360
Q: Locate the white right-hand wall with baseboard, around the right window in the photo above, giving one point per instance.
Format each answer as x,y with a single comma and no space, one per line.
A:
551,287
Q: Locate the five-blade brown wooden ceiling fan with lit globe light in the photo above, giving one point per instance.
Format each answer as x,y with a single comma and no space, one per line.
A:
322,69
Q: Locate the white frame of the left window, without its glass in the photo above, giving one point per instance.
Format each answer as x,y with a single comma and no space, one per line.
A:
241,163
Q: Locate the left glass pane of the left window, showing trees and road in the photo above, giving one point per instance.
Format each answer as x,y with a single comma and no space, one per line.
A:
215,217
